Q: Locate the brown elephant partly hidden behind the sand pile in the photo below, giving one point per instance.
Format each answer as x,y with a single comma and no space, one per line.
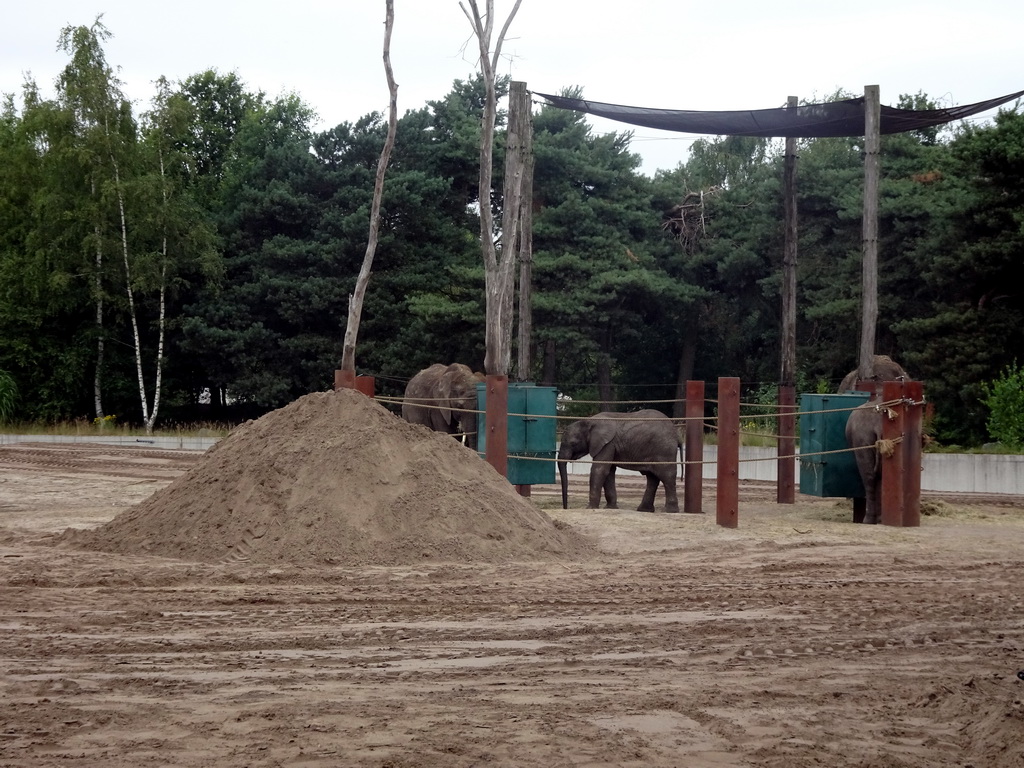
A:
444,398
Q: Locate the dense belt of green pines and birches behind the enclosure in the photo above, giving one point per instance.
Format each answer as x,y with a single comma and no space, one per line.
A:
219,235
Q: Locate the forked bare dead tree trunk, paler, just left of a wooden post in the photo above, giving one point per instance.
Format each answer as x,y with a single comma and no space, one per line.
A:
499,286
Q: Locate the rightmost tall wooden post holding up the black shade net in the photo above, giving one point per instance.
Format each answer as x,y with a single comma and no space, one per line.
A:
870,229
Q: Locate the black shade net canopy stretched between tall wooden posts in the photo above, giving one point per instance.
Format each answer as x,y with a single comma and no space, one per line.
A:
844,118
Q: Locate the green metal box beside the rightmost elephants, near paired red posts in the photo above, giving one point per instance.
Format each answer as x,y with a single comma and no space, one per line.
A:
829,475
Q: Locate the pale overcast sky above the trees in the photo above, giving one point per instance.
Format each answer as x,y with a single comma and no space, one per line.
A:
718,55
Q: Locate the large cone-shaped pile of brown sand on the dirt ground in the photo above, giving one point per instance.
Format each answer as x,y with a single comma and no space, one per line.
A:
336,479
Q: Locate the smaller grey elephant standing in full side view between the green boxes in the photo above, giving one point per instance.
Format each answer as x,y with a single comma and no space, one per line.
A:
648,438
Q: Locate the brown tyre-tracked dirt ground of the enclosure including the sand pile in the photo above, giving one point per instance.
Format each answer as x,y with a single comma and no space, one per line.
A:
186,625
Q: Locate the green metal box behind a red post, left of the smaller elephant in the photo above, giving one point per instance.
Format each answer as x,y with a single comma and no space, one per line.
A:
532,432
